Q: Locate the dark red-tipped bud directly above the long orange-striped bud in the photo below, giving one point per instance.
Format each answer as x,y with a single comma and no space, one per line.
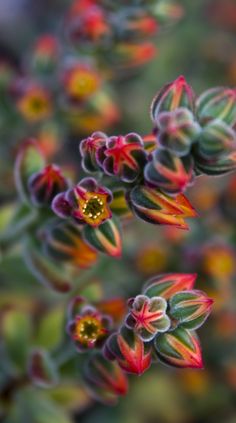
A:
169,172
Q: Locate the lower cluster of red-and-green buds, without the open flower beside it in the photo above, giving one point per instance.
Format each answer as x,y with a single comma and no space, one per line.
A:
161,322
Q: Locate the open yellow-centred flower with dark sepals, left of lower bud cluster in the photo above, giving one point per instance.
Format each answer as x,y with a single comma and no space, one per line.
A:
87,327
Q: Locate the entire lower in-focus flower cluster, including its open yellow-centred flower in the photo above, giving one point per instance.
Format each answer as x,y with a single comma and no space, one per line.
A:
160,326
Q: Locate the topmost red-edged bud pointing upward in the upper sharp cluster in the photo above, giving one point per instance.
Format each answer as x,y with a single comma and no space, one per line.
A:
172,96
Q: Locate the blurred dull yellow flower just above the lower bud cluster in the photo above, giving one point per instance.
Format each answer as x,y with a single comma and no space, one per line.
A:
151,259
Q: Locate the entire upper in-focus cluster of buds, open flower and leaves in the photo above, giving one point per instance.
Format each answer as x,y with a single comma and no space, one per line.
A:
64,223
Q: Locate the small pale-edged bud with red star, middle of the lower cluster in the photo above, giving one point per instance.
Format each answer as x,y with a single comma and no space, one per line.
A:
147,316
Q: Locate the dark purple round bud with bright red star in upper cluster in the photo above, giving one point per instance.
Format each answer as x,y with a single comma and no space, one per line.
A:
123,157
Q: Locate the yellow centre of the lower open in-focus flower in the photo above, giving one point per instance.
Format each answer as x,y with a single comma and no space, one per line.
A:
88,329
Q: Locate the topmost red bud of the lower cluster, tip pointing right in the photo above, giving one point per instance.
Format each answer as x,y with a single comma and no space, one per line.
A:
169,284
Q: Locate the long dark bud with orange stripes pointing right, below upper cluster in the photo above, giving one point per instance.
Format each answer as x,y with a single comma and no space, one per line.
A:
156,207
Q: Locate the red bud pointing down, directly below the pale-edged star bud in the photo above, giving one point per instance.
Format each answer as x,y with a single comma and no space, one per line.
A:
132,354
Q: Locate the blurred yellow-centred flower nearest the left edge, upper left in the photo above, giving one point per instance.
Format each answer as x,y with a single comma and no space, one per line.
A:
35,104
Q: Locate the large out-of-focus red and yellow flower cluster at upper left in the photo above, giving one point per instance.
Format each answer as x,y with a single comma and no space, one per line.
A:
63,83
